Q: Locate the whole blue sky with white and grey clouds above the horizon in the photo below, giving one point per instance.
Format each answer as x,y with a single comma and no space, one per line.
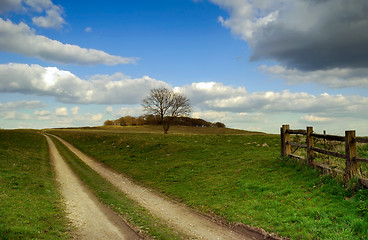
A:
253,65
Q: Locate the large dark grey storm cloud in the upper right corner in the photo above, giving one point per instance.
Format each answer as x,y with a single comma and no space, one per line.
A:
339,38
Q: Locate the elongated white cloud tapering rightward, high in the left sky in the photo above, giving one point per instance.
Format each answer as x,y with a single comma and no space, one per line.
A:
20,38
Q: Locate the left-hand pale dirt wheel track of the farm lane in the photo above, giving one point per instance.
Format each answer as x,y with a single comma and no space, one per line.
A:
91,218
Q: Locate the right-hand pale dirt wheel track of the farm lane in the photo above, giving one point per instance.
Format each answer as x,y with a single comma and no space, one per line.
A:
179,216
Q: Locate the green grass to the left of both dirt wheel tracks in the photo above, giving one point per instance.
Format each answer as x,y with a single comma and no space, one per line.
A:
30,204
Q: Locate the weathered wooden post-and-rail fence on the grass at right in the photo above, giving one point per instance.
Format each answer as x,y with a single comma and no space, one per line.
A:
351,157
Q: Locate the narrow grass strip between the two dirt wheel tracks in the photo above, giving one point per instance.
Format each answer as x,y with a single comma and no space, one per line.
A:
111,196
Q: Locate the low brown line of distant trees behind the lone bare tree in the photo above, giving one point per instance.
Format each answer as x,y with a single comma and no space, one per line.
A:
156,120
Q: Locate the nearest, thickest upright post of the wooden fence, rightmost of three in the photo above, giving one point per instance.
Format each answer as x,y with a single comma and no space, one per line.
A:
351,166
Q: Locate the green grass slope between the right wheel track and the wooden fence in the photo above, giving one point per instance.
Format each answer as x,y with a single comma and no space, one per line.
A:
239,178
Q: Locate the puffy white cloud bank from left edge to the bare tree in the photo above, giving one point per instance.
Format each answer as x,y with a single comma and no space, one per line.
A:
68,88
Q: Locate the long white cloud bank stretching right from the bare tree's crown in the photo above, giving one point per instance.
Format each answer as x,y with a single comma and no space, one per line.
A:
238,100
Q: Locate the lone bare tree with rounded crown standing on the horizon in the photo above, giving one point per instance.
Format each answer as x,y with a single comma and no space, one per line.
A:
166,104
